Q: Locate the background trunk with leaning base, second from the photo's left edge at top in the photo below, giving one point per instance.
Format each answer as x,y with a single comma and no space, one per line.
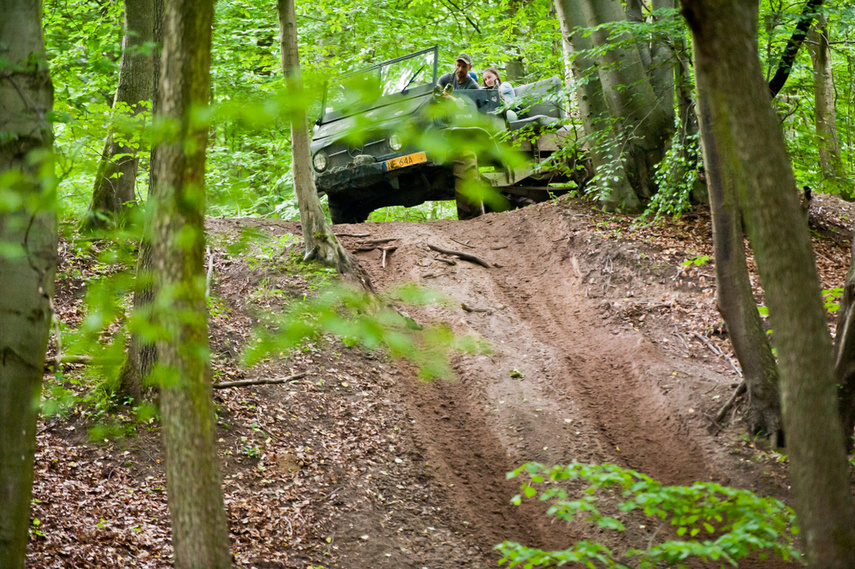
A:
115,179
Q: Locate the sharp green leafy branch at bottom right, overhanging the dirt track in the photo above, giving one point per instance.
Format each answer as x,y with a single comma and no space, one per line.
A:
717,523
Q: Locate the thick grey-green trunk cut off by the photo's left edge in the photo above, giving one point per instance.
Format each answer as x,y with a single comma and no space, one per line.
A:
28,234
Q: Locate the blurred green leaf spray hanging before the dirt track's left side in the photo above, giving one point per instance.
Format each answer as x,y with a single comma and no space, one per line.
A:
357,317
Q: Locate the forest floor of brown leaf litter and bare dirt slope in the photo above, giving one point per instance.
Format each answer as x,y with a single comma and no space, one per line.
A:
606,347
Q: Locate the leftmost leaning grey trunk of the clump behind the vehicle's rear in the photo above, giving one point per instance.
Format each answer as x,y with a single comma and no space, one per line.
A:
596,121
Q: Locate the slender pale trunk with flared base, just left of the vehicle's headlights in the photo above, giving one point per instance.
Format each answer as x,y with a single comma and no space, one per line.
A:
320,242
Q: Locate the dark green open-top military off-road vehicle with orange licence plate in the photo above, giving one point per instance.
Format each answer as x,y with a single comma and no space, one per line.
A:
386,137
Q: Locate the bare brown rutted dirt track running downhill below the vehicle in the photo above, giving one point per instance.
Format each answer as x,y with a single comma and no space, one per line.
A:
563,382
